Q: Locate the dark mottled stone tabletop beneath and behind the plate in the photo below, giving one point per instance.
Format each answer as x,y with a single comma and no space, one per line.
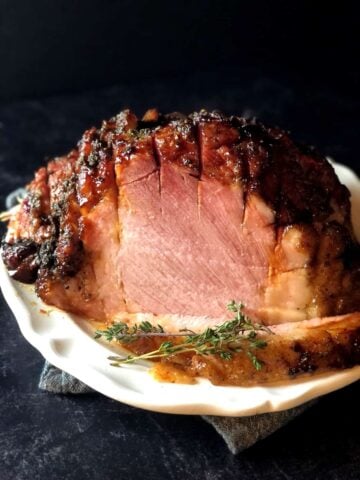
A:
44,436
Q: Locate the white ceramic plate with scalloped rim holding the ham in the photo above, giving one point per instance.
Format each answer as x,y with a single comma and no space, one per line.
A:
67,342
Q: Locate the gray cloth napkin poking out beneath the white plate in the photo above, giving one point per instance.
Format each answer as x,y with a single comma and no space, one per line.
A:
239,433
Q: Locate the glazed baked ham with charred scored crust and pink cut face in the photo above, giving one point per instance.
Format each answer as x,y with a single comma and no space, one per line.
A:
170,217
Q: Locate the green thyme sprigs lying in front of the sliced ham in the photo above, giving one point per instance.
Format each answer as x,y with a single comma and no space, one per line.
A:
239,334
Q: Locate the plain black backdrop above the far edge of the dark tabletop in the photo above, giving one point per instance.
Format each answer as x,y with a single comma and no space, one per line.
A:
69,45
